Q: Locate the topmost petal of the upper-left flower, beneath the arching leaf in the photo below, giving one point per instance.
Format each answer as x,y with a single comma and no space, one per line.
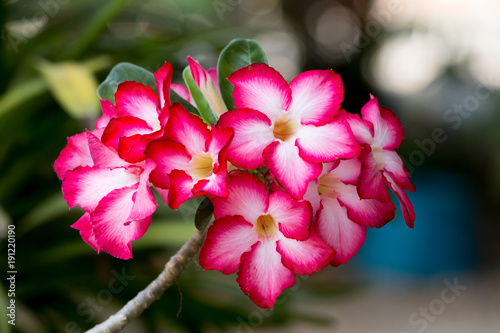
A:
137,100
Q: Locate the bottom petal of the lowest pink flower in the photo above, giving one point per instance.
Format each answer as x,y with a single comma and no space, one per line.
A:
262,276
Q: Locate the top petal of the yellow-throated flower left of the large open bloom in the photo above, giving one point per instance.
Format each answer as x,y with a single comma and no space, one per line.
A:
187,129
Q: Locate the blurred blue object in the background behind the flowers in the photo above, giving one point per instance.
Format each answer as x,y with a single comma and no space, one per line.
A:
445,234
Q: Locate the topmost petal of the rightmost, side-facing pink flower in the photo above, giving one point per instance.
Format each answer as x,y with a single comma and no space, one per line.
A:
388,131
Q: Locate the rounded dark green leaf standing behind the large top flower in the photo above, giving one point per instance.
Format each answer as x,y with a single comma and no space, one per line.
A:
237,54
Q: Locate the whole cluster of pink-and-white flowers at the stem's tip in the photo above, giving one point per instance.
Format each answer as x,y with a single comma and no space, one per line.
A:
294,180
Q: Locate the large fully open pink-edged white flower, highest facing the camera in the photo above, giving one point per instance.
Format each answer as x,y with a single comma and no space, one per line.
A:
290,128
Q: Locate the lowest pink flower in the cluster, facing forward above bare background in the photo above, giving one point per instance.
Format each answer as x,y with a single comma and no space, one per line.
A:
266,236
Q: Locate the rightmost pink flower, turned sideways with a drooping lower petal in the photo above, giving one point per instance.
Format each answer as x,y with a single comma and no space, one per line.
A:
380,132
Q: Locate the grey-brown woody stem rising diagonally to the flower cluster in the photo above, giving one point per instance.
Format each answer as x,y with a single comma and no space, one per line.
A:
155,289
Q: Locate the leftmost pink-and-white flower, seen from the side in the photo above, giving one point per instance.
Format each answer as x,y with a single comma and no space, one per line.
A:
115,194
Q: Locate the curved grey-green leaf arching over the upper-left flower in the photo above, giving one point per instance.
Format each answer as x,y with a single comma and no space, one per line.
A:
122,72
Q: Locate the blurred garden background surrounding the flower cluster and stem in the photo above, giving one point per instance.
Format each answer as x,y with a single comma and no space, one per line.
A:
434,63
